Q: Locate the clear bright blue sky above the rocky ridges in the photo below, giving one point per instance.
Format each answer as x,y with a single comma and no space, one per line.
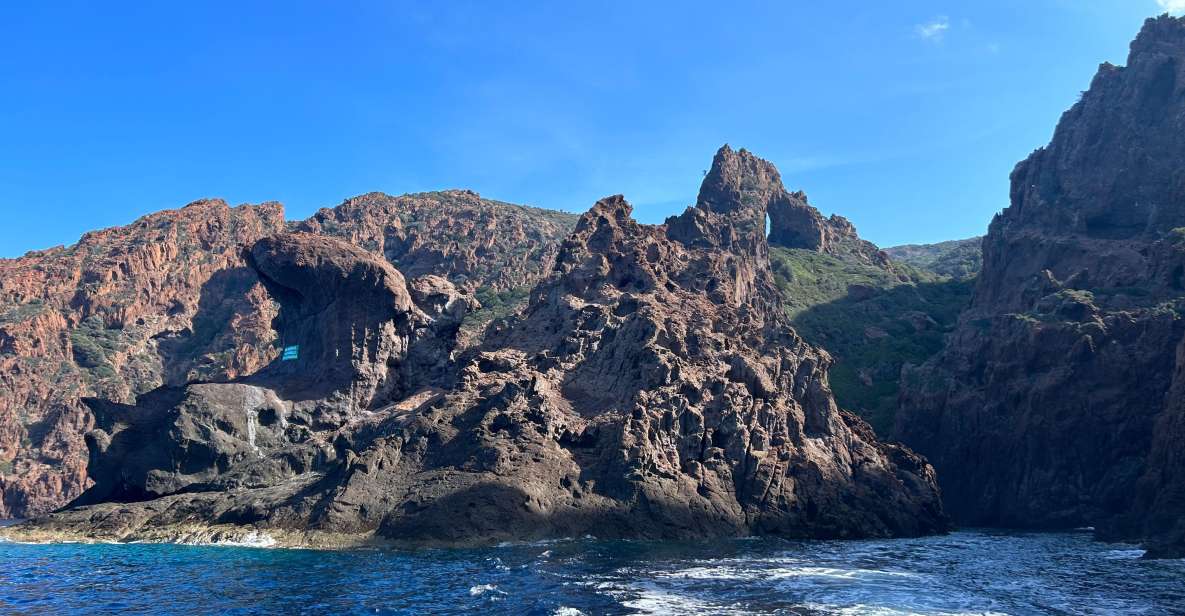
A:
905,117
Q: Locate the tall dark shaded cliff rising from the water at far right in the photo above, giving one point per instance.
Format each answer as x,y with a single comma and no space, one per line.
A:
1041,410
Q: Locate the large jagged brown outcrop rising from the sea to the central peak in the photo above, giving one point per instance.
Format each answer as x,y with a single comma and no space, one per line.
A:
652,388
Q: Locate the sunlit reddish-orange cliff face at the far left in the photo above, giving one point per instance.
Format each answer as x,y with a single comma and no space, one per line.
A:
165,300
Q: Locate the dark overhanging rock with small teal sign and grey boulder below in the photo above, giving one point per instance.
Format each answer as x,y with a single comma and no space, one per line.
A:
357,333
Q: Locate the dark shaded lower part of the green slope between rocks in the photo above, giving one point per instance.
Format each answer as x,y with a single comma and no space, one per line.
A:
873,333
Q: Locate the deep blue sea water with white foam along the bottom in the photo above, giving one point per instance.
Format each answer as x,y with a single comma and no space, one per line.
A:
965,573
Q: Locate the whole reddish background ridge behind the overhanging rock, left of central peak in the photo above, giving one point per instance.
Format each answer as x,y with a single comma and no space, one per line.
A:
170,300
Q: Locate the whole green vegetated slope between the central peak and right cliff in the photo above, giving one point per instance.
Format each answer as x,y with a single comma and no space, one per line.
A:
873,320
